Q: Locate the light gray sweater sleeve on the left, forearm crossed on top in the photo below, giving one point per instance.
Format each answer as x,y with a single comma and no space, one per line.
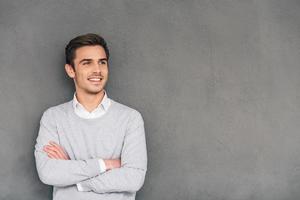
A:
59,172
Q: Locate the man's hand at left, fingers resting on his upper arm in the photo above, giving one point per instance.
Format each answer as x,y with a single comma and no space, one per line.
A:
55,151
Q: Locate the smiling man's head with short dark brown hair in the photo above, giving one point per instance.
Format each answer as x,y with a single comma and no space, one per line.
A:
87,63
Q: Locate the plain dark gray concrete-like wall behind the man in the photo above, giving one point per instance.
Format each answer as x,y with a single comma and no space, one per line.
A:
217,82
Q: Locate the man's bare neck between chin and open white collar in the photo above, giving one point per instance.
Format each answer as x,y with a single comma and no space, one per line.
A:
89,101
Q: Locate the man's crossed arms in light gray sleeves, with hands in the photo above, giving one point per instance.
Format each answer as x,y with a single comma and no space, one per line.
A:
56,168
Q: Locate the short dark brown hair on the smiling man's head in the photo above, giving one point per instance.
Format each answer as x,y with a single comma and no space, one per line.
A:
89,39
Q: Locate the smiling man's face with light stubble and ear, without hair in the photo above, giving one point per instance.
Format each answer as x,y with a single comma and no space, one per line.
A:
91,69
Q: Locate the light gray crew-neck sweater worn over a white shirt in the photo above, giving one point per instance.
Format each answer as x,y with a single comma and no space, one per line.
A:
117,134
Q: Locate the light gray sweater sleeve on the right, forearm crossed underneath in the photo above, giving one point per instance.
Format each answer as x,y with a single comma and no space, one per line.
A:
131,175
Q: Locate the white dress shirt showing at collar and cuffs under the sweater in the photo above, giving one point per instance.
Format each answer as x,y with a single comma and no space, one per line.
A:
97,112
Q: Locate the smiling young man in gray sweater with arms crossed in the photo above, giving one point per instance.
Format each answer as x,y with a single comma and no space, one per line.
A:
91,147
